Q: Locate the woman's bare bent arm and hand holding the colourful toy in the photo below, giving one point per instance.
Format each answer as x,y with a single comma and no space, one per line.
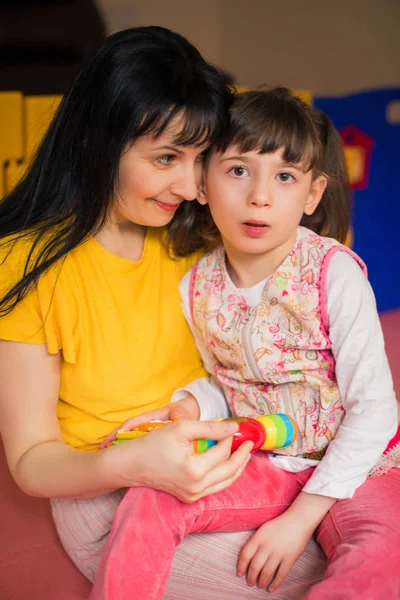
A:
42,464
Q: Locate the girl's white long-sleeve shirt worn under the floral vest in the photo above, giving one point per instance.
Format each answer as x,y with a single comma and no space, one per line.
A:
363,377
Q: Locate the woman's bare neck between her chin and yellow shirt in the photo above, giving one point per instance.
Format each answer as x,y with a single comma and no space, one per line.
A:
122,238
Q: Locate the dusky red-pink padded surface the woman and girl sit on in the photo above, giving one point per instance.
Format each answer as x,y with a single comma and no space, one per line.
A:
33,564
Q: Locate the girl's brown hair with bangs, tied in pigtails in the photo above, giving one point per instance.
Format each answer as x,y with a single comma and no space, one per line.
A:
268,119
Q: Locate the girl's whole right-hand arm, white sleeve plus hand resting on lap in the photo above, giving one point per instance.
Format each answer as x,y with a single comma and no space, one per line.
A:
370,421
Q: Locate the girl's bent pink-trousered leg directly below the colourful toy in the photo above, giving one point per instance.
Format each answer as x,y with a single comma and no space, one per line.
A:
149,525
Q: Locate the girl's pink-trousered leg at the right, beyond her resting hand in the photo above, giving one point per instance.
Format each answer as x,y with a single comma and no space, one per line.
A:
361,538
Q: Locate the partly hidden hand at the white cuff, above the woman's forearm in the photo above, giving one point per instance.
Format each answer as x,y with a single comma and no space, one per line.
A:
187,408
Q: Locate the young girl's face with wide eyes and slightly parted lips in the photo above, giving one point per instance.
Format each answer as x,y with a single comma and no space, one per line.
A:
257,200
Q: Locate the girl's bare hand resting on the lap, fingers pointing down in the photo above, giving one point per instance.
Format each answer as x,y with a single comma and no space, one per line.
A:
271,552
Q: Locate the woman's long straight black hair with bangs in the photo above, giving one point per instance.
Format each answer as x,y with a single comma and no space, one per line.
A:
135,84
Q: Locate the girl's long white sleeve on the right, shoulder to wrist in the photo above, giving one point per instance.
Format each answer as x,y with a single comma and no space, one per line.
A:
364,381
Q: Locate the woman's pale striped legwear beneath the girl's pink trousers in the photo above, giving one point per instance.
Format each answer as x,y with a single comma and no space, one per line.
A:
204,567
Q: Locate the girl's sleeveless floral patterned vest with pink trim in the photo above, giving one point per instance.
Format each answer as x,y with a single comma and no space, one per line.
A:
275,356
